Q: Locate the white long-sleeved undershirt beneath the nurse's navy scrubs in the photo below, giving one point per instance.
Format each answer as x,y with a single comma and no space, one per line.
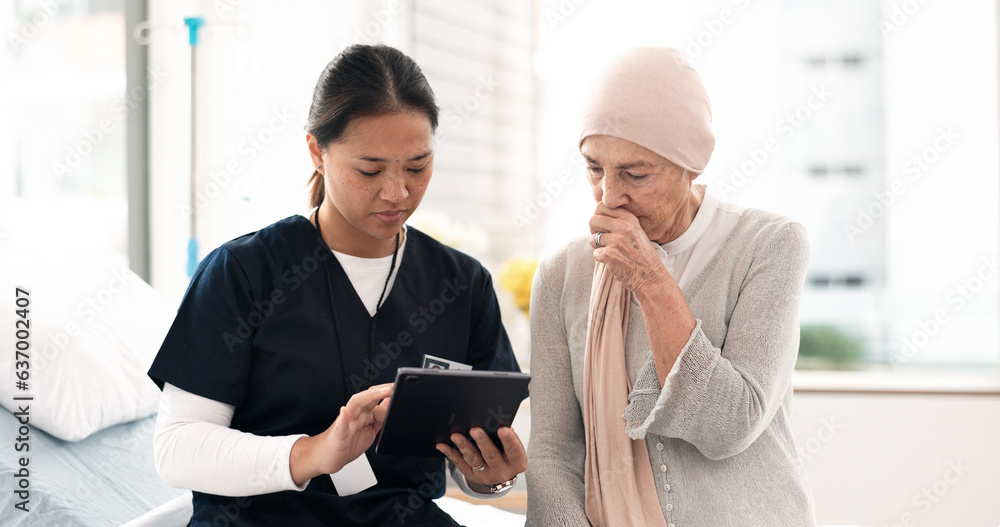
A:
194,447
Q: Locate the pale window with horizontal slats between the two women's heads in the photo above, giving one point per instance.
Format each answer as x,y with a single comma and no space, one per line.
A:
477,58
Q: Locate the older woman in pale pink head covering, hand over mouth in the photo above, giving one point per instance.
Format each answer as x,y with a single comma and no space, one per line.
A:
663,345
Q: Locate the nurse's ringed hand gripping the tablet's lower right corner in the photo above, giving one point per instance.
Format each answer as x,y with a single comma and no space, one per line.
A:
497,466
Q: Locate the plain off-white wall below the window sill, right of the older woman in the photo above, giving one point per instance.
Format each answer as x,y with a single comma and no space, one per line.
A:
871,458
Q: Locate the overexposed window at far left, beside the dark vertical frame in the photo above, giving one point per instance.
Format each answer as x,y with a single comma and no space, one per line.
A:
62,130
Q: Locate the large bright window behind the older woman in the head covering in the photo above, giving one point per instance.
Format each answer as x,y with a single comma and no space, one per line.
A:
887,153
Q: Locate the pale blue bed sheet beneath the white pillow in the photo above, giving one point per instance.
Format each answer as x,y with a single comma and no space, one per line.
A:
103,481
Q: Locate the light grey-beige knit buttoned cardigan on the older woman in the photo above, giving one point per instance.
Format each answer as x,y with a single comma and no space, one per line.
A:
718,437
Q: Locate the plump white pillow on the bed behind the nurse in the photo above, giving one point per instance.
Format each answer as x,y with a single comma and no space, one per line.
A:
94,330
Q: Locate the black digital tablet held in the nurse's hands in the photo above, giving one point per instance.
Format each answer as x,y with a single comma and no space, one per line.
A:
428,406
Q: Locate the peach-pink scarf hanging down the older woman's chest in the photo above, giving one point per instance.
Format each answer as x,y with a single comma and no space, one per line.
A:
618,478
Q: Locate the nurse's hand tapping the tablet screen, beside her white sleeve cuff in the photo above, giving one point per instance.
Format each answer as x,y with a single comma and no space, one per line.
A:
350,435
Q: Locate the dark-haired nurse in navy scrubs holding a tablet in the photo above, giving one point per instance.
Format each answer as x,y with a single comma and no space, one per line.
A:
277,370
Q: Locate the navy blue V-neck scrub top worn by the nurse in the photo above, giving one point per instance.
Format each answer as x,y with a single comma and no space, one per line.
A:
255,331
